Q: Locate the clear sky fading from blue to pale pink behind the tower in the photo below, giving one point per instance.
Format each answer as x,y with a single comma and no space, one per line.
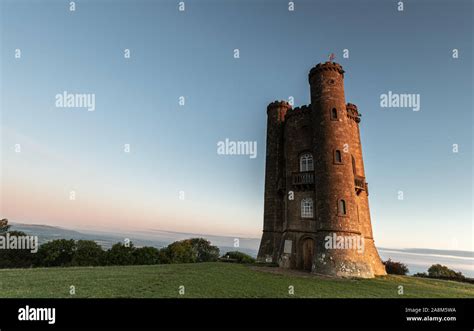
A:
173,147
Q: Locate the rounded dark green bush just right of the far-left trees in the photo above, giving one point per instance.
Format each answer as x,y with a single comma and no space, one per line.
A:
56,253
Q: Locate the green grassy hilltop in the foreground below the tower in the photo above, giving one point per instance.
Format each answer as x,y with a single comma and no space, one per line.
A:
211,280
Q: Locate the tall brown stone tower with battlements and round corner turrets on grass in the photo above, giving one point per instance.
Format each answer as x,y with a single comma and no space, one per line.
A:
316,212
